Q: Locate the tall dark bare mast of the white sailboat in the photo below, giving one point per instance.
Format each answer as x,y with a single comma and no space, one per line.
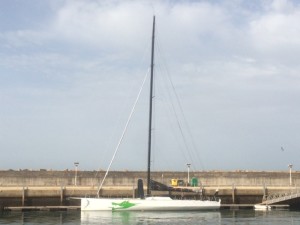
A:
150,109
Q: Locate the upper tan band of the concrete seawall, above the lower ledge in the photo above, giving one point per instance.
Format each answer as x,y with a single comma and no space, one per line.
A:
128,178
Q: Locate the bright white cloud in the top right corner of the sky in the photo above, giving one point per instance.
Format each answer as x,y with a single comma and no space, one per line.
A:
276,30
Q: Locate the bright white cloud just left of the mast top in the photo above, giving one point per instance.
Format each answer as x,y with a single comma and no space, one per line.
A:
118,25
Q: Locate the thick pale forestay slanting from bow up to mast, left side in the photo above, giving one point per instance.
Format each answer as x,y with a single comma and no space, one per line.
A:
123,134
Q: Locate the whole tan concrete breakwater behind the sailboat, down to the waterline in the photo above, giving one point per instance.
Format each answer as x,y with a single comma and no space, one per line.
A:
44,187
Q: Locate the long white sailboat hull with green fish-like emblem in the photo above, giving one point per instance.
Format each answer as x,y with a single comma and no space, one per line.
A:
148,204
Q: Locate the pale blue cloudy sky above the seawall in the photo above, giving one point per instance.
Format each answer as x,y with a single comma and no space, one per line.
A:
70,72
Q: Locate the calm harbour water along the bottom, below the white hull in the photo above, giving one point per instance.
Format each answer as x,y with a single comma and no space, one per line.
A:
223,217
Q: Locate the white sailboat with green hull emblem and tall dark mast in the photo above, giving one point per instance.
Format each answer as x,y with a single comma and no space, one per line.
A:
148,203
